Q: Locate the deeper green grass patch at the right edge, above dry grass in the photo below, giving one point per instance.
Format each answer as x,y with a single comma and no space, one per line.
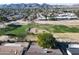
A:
63,29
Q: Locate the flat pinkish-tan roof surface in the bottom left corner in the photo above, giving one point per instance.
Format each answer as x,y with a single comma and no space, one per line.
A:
10,50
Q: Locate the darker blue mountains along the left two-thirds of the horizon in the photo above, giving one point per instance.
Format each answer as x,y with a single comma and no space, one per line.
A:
21,6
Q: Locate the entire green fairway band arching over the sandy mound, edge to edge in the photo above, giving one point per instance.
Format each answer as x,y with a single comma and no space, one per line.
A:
22,30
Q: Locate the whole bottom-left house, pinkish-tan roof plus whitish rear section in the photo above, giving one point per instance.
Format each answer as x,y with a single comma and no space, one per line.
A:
13,48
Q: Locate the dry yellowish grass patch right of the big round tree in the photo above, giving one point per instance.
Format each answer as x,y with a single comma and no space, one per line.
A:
72,37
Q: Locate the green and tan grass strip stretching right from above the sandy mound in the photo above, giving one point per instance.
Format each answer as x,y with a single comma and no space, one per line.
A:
57,28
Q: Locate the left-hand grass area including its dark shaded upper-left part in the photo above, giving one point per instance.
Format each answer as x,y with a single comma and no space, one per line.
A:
17,31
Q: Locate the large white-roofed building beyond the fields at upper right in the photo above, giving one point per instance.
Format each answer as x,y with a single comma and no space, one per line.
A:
66,16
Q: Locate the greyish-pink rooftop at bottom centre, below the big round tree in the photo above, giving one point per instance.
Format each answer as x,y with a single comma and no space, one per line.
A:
37,50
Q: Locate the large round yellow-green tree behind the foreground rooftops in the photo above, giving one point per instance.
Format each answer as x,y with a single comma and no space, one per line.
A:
46,40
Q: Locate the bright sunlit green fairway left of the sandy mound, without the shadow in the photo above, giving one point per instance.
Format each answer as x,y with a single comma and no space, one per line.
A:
20,31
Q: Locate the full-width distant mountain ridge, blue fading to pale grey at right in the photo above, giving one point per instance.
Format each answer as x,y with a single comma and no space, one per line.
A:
36,5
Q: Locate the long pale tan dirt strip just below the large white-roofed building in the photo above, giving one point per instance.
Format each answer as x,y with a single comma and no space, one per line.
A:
62,22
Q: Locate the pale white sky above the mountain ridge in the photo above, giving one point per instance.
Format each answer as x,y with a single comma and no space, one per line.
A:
40,1
